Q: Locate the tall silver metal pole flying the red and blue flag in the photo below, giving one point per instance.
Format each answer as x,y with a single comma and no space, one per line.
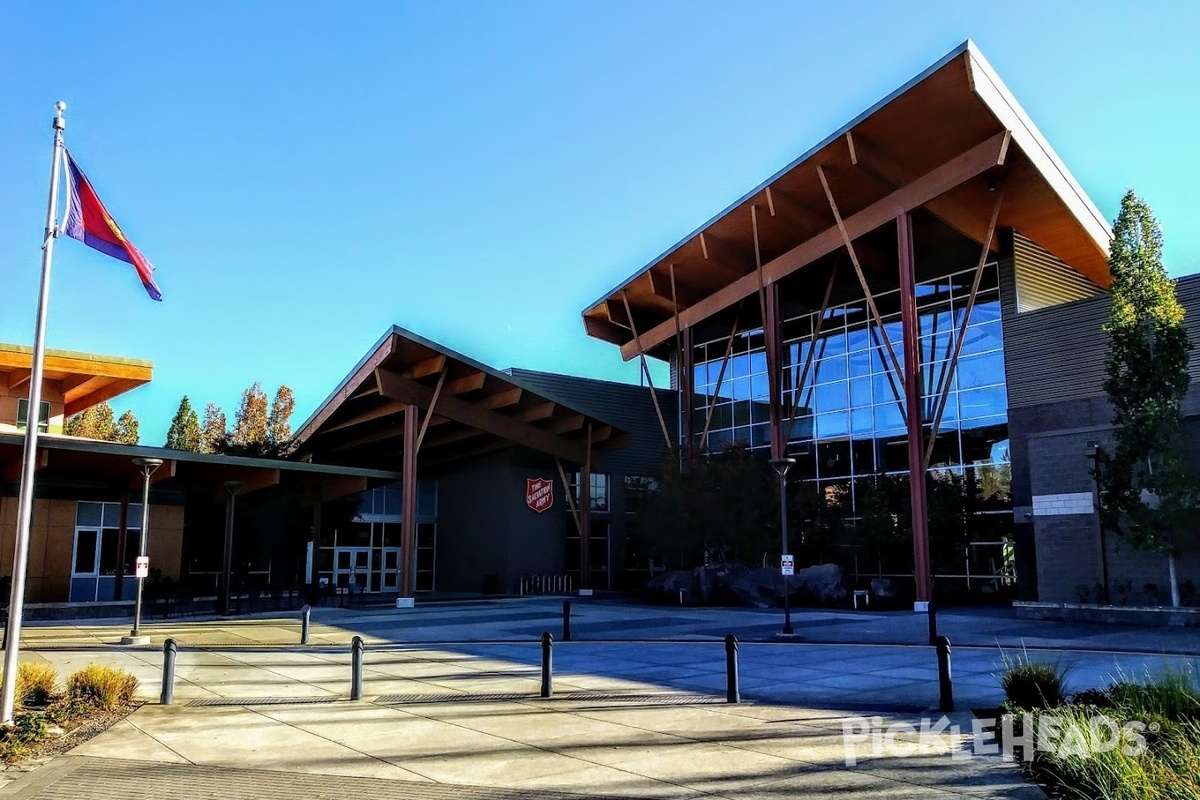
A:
33,420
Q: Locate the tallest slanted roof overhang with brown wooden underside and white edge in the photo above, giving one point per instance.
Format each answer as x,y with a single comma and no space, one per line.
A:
940,143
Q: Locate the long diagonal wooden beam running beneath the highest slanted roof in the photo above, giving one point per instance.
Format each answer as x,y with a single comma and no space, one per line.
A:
933,184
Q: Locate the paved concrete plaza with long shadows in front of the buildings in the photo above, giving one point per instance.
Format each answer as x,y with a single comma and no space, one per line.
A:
447,713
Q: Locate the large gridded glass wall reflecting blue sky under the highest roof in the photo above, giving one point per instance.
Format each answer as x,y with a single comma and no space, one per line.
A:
844,423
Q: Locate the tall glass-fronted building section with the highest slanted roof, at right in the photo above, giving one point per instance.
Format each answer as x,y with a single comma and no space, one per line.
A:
911,309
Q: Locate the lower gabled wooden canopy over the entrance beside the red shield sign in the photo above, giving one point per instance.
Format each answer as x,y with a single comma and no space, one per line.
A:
465,410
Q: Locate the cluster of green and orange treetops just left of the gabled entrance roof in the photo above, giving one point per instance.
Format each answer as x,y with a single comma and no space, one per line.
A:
261,428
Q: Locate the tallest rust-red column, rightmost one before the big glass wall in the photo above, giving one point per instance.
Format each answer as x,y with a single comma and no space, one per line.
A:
914,412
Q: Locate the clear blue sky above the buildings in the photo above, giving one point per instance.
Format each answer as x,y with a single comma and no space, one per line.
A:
307,175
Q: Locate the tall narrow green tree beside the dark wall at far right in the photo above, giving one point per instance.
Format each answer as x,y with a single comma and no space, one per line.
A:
1148,495
